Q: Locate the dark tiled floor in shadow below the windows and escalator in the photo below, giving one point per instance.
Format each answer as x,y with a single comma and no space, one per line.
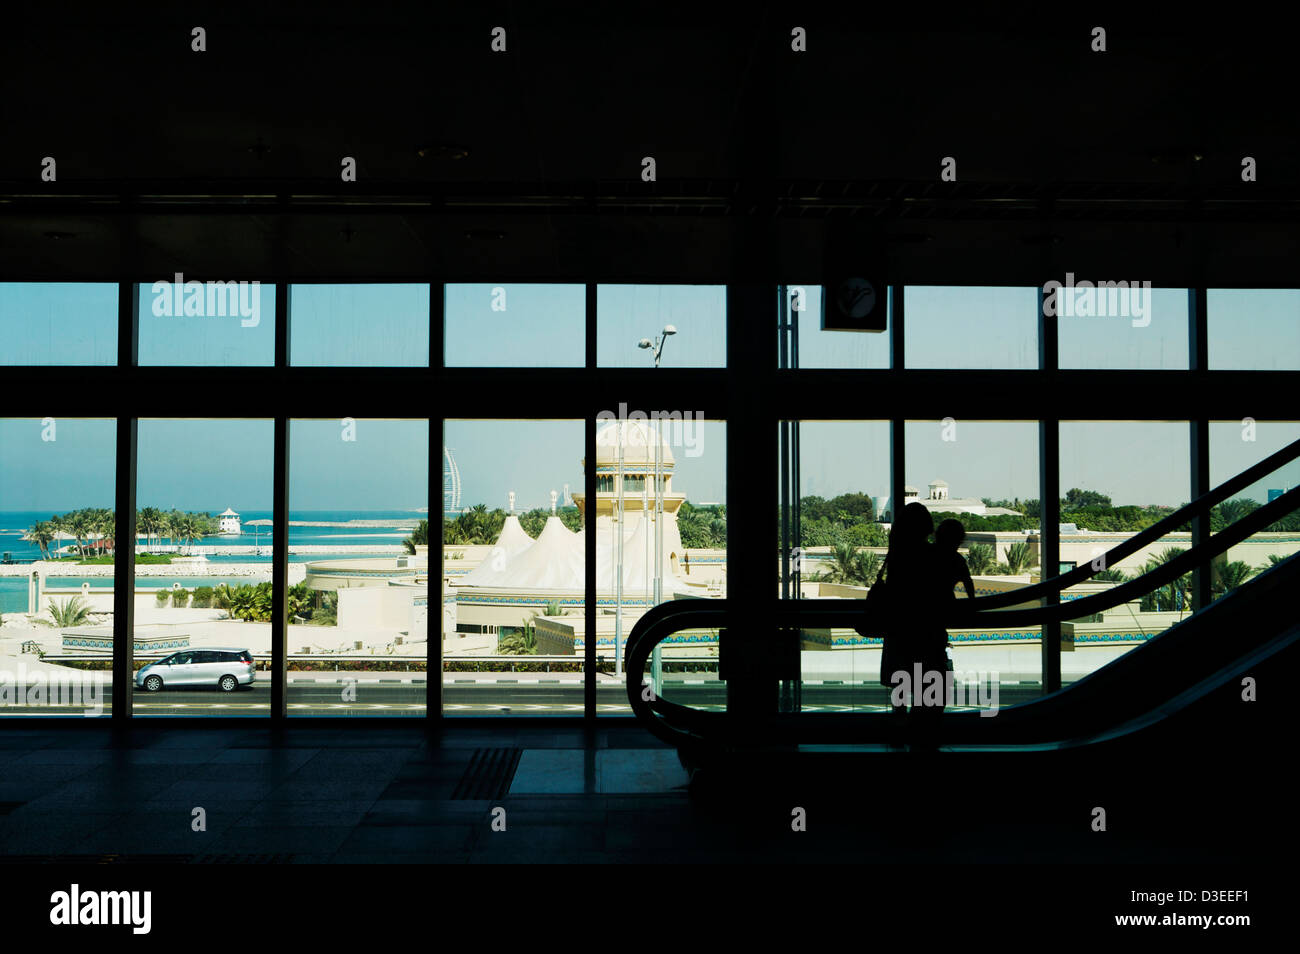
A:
391,795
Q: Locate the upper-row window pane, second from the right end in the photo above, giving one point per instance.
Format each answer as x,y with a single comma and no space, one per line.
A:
1125,328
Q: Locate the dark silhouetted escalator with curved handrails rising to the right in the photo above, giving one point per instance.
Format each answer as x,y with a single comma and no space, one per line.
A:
1215,648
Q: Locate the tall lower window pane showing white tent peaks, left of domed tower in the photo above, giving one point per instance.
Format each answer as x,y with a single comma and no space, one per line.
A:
514,570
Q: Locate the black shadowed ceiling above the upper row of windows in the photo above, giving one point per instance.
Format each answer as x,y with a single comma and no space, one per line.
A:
1124,164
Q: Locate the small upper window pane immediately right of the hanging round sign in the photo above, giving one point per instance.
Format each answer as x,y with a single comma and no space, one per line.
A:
982,327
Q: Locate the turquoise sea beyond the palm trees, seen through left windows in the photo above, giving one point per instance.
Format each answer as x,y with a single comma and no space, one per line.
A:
15,524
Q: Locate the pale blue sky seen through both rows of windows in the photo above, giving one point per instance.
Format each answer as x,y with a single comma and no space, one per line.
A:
544,326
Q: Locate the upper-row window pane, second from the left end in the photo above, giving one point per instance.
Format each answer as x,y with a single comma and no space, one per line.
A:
207,323
